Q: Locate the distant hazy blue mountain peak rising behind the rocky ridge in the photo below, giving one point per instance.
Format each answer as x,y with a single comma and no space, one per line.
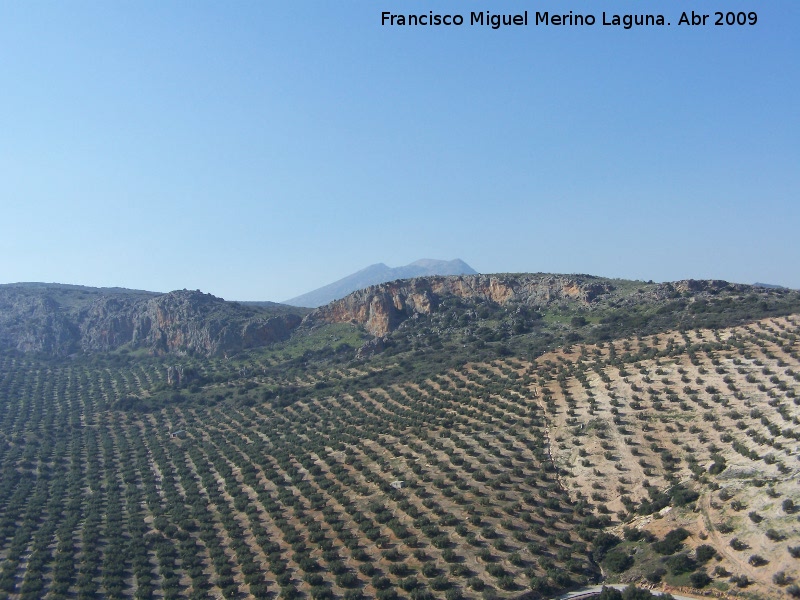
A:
380,273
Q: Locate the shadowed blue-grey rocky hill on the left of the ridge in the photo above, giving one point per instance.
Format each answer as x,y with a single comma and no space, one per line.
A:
61,320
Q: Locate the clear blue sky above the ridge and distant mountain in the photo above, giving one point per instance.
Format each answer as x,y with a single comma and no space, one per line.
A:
258,150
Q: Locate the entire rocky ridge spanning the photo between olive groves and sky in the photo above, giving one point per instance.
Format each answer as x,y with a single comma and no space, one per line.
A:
62,320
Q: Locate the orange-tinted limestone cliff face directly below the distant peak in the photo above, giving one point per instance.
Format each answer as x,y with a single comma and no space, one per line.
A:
381,308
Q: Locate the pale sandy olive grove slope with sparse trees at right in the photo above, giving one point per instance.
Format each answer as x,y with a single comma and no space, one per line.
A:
711,414
